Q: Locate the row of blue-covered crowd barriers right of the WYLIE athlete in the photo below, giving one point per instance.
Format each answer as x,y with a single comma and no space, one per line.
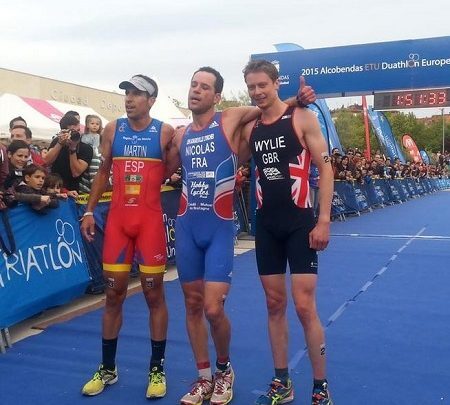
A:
352,198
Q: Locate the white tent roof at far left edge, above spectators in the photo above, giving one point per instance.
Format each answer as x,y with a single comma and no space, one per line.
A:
12,106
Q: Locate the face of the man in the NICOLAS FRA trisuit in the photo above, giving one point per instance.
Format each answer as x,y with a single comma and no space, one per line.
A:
202,95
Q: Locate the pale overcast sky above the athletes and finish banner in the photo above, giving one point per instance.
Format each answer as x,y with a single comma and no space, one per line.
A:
99,43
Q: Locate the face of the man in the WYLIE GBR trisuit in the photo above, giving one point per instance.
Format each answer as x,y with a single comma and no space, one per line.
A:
261,89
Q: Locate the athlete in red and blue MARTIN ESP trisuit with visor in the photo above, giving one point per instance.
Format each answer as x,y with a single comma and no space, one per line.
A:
134,147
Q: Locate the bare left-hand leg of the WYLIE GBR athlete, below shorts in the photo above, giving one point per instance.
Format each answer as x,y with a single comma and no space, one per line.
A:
275,291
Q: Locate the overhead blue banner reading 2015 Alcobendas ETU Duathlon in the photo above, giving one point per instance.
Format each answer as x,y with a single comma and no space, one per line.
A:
366,68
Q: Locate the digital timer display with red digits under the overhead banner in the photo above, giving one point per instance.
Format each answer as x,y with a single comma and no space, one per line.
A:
396,100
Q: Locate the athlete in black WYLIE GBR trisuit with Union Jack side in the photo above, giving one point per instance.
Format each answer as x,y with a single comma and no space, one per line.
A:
283,141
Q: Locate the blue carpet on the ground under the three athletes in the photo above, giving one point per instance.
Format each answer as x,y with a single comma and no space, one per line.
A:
384,303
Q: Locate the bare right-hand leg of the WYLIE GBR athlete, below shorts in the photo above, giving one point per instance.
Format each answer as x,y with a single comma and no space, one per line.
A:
304,295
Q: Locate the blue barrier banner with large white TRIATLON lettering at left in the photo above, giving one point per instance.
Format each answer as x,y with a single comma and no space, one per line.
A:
48,268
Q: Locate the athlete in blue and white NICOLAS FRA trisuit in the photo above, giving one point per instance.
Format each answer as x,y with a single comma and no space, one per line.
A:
204,229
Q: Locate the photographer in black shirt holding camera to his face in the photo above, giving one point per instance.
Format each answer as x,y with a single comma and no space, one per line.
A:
67,155
